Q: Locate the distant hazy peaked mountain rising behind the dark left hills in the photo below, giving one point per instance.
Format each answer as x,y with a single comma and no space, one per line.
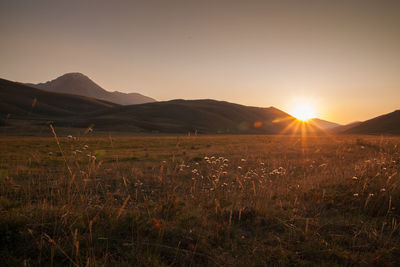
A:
79,84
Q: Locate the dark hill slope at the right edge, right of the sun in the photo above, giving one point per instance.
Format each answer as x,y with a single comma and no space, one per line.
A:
385,124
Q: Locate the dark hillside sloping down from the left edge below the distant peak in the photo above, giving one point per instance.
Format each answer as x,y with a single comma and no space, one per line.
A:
19,100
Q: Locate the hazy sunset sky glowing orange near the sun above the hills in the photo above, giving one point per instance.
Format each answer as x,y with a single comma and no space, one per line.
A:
343,57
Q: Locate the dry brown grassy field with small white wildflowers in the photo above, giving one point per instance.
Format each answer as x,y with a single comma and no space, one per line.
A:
205,200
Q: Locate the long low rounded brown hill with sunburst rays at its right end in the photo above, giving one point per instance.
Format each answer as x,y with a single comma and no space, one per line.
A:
204,116
